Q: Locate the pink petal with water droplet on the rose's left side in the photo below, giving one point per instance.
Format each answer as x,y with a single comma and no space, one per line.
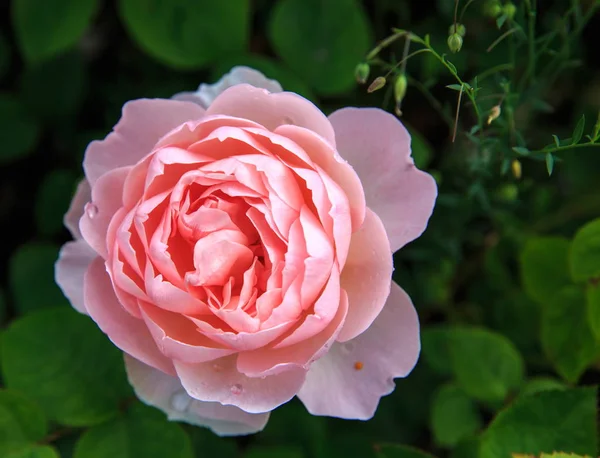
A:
106,201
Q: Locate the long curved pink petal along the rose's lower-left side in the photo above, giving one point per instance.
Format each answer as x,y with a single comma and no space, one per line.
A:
128,333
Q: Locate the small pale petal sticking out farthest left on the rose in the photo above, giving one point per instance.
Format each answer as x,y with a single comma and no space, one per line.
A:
73,261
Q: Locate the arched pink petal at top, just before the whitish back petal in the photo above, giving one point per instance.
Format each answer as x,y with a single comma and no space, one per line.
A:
272,110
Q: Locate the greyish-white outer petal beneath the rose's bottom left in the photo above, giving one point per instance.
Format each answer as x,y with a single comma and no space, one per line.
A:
165,392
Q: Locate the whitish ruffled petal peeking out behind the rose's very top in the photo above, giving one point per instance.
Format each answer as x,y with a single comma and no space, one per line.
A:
207,93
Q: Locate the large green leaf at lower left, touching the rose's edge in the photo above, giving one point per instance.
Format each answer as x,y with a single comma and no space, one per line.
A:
63,361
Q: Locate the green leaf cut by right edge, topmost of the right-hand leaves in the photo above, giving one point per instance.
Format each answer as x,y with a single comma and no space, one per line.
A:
584,255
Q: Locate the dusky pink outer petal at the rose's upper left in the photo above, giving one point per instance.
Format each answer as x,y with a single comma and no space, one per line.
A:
143,122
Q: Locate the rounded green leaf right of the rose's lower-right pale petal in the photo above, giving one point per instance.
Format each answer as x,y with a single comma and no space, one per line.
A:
487,366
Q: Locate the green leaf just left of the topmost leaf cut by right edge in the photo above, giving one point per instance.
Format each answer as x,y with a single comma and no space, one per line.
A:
544,267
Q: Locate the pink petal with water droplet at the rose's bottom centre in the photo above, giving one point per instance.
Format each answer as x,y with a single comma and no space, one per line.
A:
220,381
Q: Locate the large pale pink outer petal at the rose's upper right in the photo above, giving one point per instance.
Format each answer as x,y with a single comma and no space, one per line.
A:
377,145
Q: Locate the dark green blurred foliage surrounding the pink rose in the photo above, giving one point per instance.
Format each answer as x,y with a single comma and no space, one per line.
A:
506,278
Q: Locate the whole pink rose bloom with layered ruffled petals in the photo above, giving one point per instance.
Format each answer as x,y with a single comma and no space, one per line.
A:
237,245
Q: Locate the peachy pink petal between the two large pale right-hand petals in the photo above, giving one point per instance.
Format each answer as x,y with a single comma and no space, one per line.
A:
367,276
